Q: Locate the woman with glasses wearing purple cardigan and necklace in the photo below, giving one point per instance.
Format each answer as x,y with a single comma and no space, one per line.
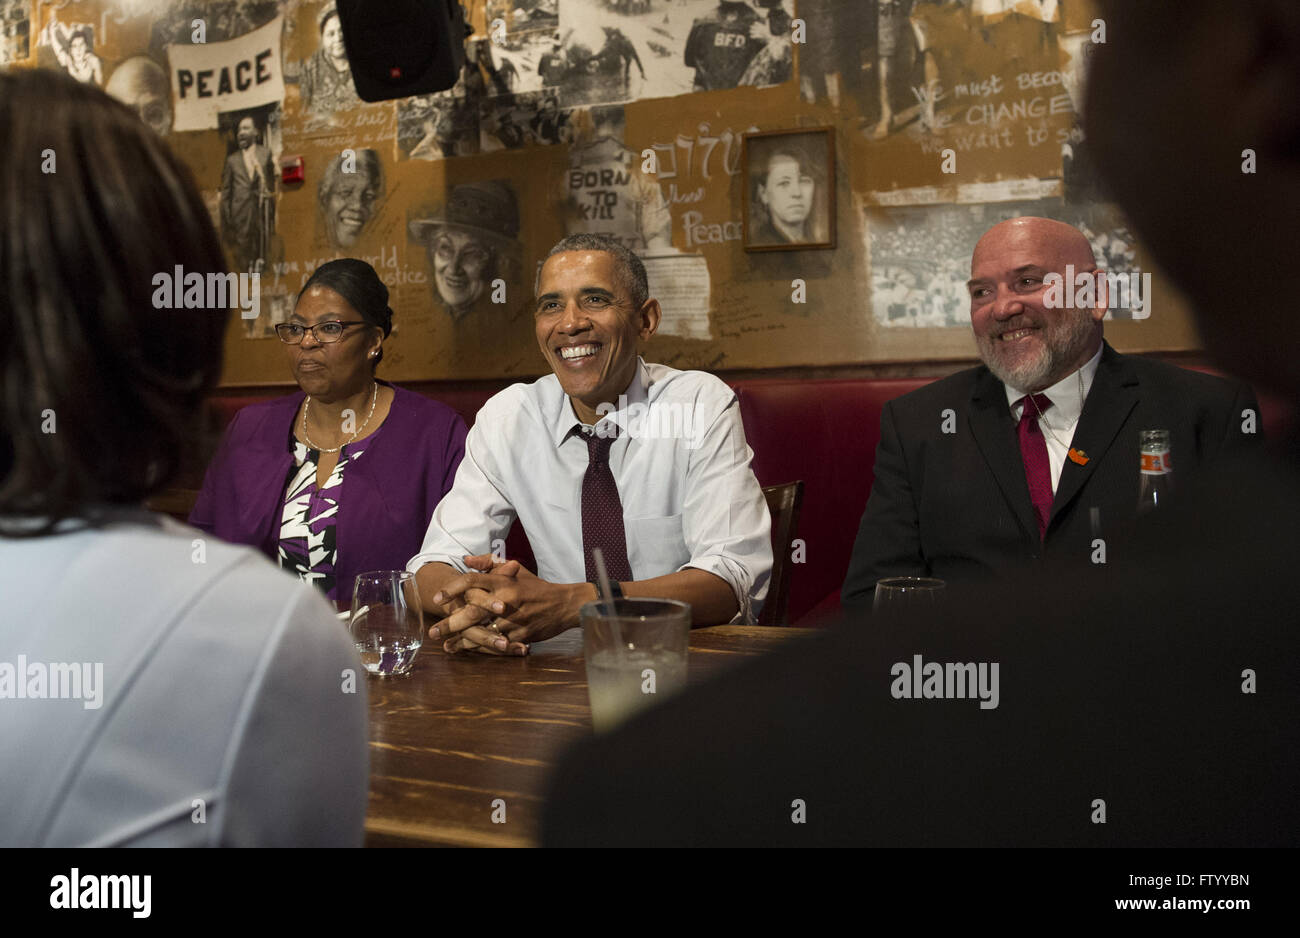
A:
344,476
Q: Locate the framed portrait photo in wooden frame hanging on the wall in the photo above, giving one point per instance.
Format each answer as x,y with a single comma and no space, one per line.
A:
790,190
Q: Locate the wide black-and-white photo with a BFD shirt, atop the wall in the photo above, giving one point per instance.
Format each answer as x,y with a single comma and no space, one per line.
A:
610,51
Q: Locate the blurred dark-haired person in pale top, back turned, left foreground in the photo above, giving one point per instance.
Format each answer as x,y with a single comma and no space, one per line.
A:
157,688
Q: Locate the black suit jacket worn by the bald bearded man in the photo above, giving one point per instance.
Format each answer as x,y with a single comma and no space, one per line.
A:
956,506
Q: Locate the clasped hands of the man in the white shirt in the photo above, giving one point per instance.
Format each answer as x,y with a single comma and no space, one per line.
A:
502,607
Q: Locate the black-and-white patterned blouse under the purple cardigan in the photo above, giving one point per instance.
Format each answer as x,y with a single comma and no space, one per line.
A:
307,540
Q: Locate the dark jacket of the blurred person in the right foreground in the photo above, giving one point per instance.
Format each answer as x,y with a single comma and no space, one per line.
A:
1128,689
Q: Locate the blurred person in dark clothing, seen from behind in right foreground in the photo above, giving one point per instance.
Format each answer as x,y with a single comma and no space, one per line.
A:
1151,703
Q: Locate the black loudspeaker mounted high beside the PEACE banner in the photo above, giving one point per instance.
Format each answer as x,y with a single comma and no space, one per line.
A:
398,49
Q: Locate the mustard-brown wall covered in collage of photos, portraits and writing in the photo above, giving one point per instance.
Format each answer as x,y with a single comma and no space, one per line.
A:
804,180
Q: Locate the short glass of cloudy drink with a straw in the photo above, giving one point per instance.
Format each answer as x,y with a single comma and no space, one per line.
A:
636,655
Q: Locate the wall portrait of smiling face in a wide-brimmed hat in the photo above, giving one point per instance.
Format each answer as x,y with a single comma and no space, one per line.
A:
470,241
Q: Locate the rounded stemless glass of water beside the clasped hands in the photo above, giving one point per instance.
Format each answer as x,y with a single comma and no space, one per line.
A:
388,622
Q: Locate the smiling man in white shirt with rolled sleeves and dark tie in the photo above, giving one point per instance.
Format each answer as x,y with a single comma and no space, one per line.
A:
643,461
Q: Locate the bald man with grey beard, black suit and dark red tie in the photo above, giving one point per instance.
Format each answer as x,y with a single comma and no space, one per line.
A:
970,487
